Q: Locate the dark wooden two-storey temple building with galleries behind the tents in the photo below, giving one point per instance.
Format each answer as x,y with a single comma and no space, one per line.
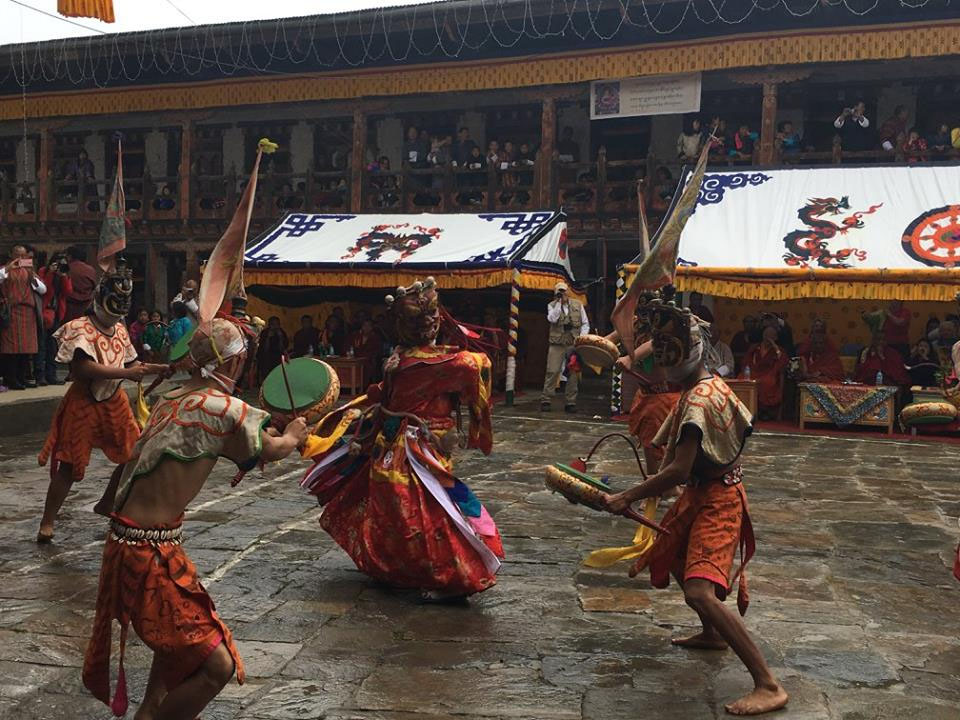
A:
340,94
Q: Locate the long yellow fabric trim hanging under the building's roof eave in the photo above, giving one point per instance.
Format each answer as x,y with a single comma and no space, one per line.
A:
784,48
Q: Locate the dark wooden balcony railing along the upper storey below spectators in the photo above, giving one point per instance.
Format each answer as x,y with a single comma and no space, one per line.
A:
603,191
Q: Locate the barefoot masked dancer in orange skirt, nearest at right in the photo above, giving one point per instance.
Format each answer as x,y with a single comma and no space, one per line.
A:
704,437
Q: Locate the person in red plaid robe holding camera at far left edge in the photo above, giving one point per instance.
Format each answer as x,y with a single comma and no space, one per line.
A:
19,287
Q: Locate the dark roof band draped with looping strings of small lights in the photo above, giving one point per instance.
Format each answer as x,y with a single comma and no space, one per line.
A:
399,34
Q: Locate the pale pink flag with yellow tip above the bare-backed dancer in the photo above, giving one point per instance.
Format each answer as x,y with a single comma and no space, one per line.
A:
223,273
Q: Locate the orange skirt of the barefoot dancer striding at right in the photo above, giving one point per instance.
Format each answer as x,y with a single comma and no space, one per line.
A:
707,524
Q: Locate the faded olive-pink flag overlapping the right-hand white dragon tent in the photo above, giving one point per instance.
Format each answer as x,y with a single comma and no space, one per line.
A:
659,267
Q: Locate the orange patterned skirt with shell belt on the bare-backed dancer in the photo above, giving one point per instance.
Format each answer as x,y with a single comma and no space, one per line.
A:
147,580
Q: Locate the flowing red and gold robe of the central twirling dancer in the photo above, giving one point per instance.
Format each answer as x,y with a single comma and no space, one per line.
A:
395,506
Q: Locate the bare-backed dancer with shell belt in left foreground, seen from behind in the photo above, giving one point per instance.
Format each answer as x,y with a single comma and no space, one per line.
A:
146,578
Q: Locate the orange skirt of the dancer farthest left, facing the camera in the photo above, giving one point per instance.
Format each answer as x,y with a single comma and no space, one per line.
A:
81,424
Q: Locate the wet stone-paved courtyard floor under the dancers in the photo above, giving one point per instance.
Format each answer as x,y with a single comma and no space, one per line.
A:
852,595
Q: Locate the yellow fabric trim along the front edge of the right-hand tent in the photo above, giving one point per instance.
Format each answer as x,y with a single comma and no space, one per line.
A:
789,284
